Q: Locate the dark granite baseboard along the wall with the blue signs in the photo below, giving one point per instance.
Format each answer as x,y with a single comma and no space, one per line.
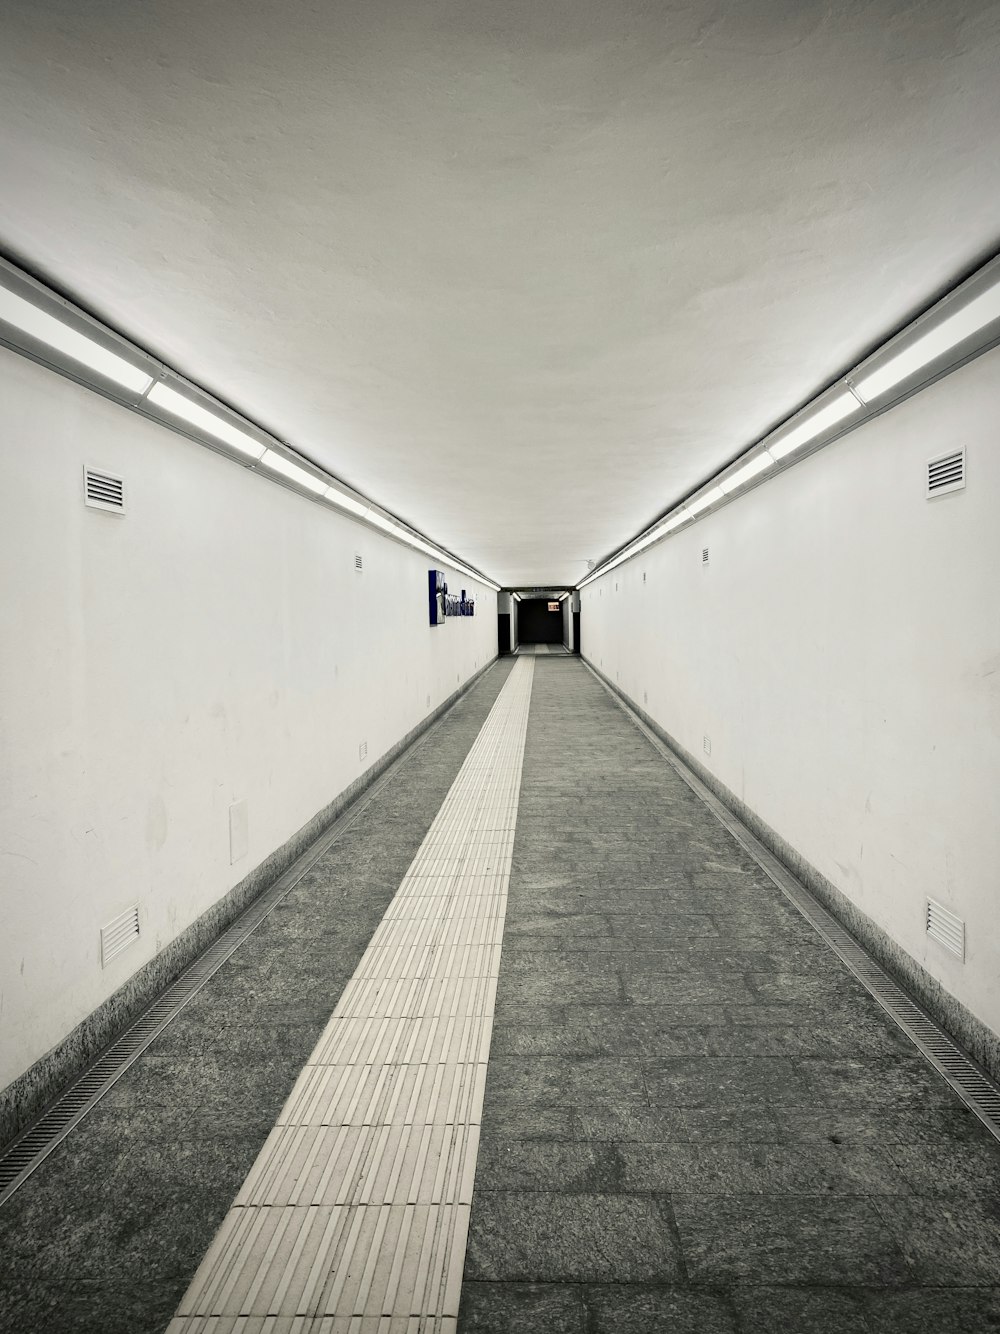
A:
26,1099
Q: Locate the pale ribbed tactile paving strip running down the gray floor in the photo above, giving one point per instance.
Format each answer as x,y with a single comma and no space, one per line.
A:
354,1219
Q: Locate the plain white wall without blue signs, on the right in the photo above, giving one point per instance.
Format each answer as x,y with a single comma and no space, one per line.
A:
842,652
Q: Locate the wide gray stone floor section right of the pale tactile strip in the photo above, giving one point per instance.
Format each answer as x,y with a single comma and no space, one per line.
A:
697,1120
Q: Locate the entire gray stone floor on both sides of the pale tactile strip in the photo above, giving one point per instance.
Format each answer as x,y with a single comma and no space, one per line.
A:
697,1120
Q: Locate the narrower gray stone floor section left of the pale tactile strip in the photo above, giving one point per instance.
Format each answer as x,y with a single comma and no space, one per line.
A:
106,1236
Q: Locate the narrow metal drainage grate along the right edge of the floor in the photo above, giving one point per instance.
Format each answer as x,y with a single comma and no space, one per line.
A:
966,1077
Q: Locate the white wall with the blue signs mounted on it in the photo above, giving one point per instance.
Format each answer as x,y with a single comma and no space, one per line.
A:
211,646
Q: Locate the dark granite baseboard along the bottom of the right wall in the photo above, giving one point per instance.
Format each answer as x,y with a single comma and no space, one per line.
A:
979,1041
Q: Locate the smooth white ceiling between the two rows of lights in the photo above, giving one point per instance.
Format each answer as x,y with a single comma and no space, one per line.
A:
523,271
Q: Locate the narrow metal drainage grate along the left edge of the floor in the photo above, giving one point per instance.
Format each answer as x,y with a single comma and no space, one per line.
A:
34,1145
